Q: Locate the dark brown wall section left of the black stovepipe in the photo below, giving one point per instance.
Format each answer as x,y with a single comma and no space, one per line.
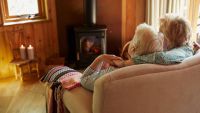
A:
69,14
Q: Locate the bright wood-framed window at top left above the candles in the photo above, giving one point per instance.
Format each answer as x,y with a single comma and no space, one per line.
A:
23,11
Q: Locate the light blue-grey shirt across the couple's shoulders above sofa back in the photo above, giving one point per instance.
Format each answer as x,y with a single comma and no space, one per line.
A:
173,56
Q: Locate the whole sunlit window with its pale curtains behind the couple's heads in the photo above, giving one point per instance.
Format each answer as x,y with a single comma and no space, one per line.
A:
186,8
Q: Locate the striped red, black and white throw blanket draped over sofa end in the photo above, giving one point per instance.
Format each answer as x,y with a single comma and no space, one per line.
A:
59,78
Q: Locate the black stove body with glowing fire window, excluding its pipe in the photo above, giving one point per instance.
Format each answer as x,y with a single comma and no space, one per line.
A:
90,42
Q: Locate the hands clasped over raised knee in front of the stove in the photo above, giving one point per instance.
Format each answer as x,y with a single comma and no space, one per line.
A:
107,60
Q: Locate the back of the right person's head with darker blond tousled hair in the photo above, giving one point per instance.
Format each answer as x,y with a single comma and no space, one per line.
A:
176,29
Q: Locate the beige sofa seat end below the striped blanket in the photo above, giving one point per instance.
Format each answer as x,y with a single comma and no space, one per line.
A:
78,100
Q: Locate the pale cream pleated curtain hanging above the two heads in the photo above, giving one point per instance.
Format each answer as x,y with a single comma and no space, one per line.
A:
158,8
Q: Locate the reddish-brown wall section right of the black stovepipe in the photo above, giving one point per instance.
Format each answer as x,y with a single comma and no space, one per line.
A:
109,13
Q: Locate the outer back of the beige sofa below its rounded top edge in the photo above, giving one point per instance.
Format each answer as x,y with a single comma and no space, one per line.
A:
170,92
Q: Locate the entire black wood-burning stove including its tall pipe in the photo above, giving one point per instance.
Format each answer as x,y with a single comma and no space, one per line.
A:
90,39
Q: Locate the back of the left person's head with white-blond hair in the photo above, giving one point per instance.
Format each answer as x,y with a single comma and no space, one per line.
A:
145,41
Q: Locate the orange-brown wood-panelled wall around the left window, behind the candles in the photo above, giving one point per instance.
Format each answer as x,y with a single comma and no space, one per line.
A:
42,35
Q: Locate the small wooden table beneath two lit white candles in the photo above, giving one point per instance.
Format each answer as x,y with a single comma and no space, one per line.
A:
25,66
